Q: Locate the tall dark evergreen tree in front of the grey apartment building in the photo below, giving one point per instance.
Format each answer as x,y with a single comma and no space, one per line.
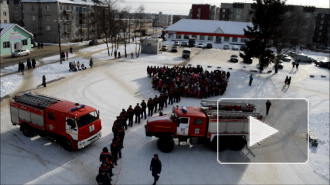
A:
267,18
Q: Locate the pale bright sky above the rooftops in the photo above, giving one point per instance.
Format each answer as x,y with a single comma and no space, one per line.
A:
182,7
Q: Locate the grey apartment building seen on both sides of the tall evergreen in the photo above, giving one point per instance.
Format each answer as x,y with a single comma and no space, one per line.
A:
316,20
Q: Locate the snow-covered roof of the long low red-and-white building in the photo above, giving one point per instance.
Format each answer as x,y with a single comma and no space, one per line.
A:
209,26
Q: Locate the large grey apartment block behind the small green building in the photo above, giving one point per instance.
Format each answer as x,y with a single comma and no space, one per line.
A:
58,20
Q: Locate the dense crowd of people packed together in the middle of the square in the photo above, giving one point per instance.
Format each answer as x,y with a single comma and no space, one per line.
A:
188,81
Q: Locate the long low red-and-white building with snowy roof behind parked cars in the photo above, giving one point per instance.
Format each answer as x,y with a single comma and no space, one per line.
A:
208,30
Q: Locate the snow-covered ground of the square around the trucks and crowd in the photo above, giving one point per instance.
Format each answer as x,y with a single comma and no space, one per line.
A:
115,84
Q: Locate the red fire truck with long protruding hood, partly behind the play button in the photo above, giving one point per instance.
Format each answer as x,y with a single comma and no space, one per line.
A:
200,124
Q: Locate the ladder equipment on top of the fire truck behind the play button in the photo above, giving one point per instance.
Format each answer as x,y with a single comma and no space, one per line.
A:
245,107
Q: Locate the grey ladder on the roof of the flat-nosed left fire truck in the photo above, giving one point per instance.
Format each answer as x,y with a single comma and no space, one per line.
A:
36,100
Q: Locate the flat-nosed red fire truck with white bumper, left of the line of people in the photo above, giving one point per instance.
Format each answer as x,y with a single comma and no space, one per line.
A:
71,124
